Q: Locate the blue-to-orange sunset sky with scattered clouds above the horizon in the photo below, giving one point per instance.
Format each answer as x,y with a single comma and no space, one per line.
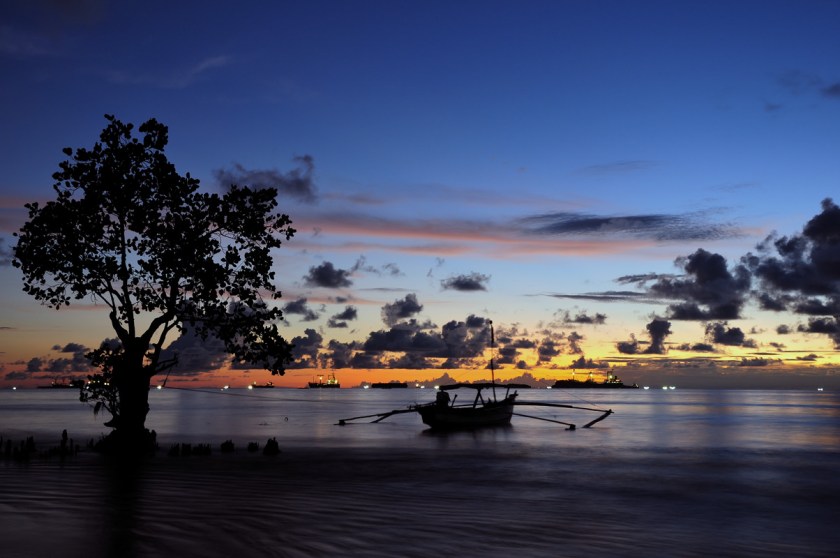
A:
588,175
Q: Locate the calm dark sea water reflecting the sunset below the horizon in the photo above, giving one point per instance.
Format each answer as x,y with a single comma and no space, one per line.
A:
671,473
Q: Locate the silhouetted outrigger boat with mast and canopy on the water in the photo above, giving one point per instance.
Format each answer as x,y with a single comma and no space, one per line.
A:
484,411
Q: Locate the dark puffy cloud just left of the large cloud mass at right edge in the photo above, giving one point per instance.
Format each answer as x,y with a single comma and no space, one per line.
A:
708,291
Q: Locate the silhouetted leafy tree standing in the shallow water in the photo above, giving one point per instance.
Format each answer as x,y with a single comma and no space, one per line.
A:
128,232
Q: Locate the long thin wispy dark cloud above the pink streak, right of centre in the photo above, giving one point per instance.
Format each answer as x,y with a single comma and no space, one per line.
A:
657,227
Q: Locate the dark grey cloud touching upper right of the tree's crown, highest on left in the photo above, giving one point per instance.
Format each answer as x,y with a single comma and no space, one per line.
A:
297,183
